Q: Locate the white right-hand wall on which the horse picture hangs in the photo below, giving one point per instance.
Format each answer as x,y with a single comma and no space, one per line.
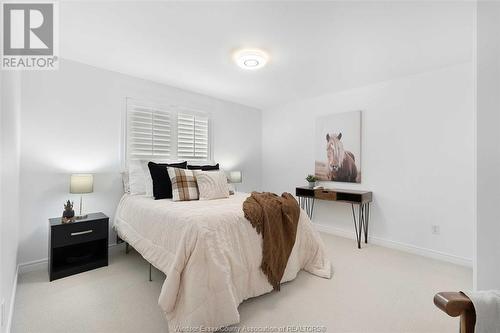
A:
417,158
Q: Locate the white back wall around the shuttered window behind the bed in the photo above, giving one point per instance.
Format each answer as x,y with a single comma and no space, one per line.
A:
72,122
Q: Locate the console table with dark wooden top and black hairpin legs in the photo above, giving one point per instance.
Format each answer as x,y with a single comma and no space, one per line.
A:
362,199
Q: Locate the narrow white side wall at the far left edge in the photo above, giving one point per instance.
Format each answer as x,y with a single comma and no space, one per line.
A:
9,186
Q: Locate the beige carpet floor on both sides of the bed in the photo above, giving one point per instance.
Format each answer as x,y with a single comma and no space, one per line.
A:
373,290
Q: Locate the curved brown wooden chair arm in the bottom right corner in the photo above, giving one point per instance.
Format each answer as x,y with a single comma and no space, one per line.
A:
458,304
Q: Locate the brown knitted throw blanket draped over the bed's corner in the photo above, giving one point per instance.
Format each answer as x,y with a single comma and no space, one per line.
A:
276,218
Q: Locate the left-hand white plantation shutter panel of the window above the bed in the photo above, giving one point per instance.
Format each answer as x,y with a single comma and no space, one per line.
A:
148,132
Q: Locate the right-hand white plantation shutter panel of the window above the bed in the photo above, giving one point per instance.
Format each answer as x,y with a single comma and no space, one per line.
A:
192,136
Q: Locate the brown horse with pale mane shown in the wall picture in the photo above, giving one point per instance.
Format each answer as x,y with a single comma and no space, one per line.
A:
341,163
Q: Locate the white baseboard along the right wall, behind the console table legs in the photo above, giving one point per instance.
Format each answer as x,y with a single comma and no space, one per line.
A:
398,246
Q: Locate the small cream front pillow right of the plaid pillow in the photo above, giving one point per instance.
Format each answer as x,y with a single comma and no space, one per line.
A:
212,185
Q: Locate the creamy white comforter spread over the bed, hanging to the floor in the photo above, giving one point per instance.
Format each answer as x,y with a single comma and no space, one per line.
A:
210,254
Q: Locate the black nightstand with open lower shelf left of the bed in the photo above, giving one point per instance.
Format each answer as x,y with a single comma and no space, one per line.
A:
77,246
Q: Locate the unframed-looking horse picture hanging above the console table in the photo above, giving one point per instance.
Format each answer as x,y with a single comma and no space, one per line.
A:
338,147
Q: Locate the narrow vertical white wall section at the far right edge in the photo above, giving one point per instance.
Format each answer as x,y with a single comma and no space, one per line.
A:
487,270
